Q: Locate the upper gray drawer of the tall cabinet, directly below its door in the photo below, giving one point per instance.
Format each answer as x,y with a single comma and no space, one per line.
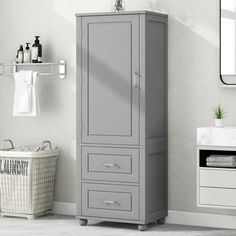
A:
110,164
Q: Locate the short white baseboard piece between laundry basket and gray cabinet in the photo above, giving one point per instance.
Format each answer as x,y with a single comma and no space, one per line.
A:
64,208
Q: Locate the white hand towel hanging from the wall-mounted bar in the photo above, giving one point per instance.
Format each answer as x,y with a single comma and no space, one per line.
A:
26,97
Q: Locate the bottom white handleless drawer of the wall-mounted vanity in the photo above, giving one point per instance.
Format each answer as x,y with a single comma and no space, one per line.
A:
218,197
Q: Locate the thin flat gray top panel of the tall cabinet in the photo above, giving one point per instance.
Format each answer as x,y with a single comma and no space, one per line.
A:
122,13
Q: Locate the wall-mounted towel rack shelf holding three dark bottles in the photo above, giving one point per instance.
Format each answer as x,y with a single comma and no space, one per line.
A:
44,69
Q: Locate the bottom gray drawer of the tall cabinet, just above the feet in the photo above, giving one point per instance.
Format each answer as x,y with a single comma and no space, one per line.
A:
113,201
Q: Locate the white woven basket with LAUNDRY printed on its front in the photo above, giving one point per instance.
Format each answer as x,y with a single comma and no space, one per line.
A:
27,182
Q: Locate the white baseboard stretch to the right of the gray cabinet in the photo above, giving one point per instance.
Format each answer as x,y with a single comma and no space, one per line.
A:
201,219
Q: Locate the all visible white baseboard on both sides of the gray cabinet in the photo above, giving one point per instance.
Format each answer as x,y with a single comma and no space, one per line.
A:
174,217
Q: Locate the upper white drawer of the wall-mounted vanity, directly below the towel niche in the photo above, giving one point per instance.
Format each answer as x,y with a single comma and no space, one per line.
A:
218,178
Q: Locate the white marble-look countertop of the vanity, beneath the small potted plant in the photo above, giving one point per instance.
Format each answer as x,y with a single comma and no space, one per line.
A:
214,136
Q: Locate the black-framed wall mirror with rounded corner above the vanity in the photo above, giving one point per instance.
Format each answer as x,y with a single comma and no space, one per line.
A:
228,42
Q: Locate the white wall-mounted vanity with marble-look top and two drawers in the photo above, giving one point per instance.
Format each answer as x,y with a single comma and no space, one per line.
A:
216,186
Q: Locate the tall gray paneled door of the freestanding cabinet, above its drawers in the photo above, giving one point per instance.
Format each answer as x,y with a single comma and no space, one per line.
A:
110,67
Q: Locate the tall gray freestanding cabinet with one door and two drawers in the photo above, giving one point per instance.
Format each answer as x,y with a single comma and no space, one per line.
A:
122,117
